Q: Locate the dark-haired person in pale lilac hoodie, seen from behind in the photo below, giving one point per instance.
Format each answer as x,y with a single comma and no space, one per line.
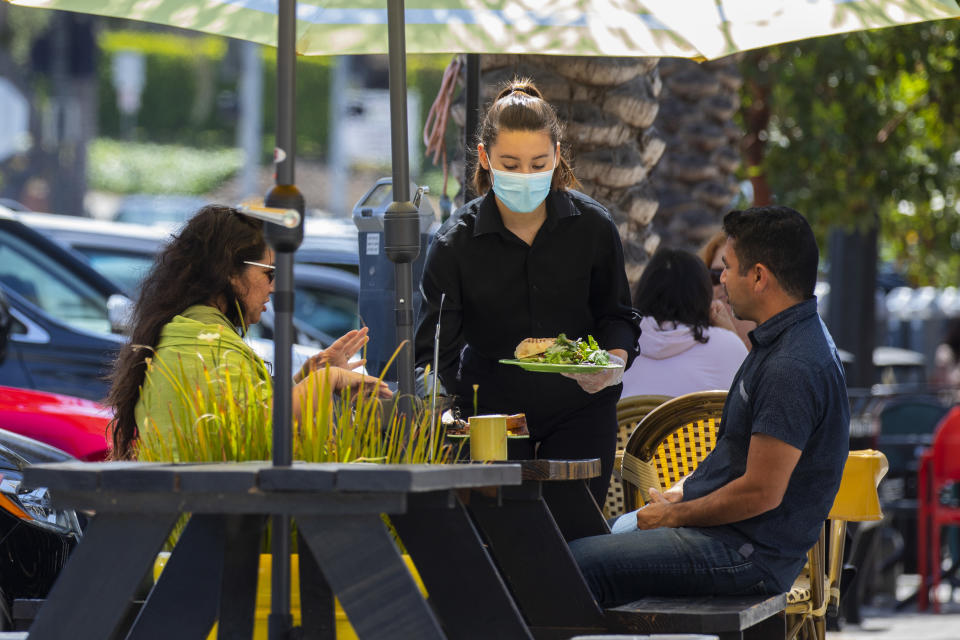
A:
679,351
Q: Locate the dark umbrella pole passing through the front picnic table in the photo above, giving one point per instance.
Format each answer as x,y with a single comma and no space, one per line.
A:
284,242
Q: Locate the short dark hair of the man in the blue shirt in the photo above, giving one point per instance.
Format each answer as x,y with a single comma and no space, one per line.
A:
780,239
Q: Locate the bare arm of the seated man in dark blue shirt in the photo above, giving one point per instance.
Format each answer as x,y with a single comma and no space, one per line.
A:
770,463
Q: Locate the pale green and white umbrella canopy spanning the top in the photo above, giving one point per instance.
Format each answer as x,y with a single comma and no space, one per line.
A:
701,29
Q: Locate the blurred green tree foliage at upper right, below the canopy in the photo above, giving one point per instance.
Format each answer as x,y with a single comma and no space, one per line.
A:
861,130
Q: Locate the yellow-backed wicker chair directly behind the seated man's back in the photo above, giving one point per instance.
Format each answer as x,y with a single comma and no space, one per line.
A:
856,501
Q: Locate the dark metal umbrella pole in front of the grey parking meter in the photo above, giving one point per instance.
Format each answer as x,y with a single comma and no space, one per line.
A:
401,221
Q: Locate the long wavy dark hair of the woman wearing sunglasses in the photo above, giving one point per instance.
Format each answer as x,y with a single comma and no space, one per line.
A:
194,268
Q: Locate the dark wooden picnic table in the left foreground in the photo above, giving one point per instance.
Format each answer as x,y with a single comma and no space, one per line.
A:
211,574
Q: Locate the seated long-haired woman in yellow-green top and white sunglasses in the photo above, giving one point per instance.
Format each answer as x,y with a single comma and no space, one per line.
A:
208,285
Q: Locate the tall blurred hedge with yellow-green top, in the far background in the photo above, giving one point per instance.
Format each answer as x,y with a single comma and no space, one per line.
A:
186,74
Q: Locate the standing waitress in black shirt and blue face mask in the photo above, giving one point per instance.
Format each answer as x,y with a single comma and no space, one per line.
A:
529,259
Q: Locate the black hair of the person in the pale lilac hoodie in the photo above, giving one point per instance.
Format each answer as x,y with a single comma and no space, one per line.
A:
675,287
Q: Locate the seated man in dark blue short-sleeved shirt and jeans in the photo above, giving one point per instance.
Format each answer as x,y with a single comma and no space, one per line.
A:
744,520
